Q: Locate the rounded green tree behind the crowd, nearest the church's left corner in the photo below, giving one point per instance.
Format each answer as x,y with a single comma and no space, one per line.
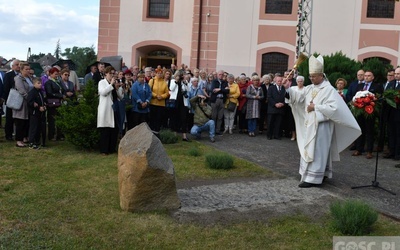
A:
81,56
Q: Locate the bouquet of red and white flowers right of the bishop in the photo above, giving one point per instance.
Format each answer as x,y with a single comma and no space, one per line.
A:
364,103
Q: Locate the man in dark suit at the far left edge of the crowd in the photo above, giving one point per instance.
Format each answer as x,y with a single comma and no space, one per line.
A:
8,84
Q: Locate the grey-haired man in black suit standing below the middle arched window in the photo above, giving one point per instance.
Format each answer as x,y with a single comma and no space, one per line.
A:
276,108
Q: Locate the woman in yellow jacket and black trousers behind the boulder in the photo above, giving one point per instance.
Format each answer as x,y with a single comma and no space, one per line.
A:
159,90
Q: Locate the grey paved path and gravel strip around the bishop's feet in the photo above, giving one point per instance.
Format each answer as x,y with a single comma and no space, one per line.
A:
274,196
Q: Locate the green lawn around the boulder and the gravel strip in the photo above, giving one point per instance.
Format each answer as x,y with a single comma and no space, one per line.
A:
63,198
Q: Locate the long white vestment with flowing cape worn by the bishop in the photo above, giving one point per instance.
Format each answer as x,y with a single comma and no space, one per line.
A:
323,133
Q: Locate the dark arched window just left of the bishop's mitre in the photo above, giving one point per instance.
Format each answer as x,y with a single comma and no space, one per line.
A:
274,62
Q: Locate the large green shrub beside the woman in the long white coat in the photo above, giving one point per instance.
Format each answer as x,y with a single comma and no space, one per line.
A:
78,120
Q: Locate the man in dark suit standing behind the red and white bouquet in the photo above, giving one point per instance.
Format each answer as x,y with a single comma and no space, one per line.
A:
367,124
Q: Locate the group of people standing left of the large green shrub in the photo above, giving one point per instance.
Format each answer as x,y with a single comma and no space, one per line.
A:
37,98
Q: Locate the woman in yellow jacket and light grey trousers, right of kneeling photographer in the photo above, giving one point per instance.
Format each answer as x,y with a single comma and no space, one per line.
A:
231,104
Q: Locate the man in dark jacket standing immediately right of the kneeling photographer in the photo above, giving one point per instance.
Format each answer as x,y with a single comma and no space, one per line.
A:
219,90
